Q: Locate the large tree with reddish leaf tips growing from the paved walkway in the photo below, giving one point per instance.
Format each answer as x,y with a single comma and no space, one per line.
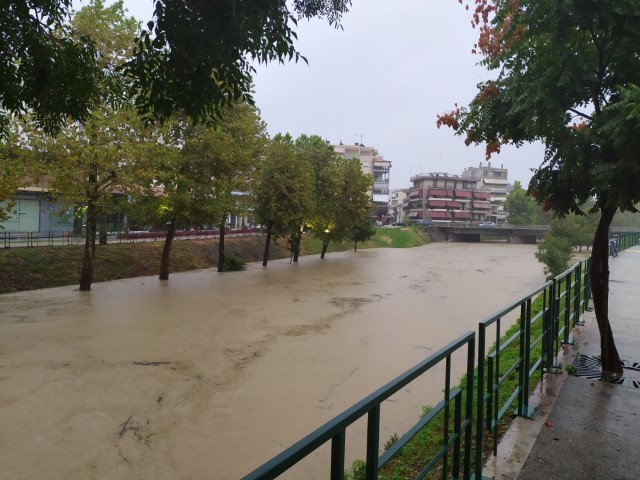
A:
567,75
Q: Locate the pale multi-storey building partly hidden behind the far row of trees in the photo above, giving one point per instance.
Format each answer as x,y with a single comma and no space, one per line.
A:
379,169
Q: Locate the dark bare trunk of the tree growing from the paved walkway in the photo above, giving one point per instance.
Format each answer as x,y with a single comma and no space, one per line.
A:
599,276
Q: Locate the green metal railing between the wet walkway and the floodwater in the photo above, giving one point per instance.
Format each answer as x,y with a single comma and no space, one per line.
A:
496,385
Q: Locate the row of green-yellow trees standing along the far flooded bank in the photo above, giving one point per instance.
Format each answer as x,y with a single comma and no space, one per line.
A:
176,173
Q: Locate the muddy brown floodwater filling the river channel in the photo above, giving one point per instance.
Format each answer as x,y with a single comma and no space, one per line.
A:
209,375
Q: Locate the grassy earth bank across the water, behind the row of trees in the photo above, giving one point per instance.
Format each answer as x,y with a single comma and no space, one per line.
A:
43,267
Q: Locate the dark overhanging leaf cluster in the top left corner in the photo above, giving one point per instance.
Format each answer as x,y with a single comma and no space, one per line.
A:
48,68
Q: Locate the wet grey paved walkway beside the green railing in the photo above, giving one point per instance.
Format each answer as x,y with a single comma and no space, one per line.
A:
586,429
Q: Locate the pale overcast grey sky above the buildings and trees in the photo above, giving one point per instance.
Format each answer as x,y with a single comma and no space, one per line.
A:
385,76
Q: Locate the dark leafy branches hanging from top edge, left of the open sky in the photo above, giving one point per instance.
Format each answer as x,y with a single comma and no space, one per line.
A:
196,56
